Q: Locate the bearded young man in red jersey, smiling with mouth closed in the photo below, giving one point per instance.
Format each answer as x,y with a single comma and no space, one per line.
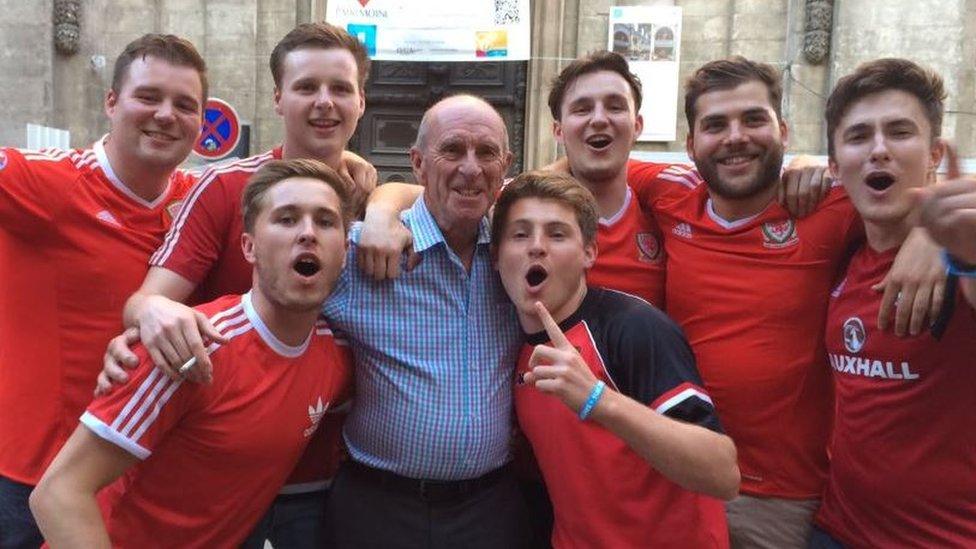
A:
747,282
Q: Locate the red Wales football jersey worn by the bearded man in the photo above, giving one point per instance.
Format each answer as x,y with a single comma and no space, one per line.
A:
751,295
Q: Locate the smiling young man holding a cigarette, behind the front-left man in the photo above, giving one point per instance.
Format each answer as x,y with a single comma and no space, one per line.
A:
319,72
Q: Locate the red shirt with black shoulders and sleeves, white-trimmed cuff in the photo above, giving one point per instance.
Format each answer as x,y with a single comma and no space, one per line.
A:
603,493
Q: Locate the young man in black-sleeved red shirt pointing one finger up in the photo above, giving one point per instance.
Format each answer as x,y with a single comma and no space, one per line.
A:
648,466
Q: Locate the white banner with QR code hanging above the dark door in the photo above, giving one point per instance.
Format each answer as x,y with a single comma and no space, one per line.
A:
437,30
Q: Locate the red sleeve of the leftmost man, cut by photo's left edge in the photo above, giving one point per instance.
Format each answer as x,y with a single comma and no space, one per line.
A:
32,187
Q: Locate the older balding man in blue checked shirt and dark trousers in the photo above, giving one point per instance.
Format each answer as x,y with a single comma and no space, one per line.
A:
429,431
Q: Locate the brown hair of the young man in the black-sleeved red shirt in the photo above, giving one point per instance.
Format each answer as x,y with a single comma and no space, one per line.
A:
546,185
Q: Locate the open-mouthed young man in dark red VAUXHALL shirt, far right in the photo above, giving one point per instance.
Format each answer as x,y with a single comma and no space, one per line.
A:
902,451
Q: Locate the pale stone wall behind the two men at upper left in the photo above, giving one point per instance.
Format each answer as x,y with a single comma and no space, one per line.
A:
42,86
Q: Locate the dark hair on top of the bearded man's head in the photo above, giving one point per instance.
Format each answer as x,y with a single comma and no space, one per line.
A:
729,73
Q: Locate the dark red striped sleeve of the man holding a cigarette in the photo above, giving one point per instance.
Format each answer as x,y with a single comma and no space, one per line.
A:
195,239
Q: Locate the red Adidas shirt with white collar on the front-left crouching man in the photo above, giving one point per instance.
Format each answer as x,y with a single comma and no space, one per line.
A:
214,456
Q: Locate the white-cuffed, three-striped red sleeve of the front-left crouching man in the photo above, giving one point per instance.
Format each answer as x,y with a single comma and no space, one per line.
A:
138,415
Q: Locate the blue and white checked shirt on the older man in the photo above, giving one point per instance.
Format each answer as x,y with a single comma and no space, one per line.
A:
435,356
